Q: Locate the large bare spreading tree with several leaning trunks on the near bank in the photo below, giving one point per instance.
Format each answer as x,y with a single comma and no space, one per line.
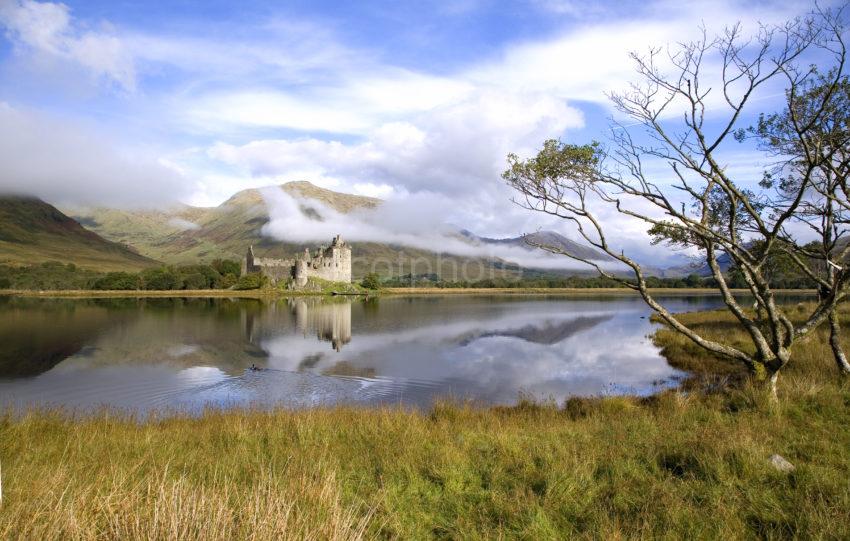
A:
700,205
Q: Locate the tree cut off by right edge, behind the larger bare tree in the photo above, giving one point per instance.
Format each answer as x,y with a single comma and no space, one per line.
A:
811,138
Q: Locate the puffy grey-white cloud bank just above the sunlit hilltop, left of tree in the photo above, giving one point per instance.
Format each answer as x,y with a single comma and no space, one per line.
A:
457,148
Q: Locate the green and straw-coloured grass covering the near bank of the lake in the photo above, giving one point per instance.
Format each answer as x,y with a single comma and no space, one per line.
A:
675,465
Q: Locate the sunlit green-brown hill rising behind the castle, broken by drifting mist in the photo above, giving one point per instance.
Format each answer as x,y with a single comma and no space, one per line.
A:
186,234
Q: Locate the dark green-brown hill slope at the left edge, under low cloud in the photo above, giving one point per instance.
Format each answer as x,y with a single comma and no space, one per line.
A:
32,231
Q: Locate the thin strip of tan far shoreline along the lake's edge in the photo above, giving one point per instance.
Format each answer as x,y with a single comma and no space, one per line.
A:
388,292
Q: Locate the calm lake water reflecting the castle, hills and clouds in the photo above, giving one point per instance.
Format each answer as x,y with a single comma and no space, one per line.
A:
160,354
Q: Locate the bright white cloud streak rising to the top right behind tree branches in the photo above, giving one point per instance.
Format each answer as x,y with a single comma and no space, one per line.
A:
593,58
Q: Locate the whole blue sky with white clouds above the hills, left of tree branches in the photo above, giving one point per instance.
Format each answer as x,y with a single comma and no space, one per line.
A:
142,103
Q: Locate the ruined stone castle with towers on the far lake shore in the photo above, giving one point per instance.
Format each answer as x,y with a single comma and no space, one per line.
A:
332,263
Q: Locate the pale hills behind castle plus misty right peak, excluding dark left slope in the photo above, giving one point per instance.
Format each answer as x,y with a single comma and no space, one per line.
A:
185,234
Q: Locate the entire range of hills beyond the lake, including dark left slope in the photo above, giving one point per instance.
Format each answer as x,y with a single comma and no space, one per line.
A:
108,238
